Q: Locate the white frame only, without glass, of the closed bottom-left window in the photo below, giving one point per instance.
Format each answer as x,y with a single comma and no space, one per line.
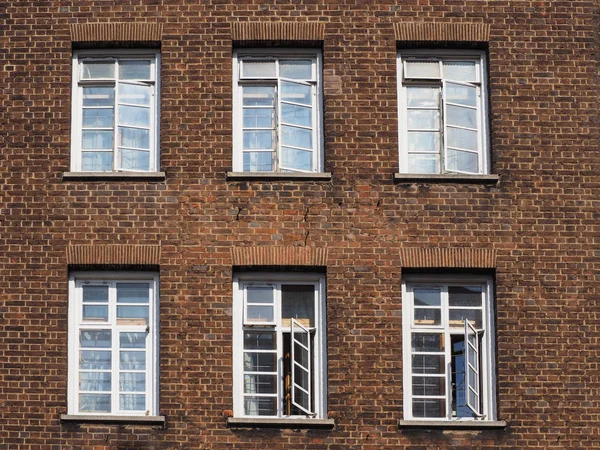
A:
76,323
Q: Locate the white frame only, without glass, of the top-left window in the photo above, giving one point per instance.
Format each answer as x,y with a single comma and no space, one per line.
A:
77,103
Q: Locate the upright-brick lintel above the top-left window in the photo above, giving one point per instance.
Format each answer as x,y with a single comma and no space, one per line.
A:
111,32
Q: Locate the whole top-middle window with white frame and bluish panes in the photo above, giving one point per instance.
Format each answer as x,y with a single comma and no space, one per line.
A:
277,111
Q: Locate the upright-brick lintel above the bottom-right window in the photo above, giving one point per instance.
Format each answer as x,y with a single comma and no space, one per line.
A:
448,257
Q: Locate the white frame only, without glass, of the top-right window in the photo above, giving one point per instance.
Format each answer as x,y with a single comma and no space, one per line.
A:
483,148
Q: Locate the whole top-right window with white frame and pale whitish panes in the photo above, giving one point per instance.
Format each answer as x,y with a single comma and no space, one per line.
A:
443,113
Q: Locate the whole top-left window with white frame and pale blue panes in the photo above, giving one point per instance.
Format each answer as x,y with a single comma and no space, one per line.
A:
115,112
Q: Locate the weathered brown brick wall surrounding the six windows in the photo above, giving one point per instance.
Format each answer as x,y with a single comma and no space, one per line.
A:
541,221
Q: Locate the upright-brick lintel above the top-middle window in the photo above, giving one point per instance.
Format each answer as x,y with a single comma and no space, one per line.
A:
277,31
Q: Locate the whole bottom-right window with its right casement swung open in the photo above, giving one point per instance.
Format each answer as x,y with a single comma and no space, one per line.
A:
448,339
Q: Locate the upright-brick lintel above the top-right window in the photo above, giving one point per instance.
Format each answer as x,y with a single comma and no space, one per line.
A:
452,32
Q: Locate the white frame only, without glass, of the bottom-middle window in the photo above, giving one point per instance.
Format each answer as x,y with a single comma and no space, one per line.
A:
319,358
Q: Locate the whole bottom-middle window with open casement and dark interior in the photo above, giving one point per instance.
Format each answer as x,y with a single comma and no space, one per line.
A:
279,346
